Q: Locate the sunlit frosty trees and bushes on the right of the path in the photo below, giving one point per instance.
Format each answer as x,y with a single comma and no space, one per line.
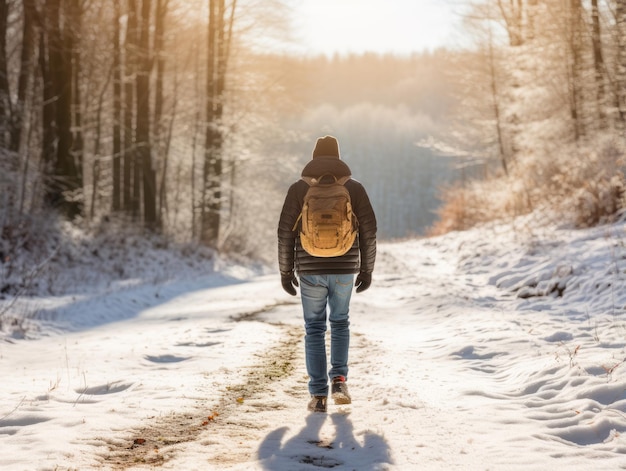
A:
544,89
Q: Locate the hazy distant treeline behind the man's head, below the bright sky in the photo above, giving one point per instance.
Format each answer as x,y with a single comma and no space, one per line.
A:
382,108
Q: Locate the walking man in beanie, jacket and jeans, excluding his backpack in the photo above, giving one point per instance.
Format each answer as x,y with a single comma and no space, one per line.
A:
326,281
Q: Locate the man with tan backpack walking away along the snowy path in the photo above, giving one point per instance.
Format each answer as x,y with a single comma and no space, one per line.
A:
312,246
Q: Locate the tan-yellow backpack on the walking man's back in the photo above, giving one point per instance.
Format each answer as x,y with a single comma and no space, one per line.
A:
329,227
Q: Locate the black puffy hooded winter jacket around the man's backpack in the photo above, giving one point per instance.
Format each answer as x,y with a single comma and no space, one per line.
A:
291,256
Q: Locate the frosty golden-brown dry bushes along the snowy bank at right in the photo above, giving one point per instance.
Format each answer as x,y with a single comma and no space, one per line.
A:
584,185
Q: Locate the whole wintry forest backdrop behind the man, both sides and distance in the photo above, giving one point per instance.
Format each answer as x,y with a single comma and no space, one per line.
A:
184,121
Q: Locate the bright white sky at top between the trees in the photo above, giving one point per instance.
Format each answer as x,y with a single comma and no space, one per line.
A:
382,26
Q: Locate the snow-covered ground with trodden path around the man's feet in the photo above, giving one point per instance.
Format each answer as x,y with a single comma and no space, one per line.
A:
491,349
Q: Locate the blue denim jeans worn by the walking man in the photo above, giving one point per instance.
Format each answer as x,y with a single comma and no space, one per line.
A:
324,295
